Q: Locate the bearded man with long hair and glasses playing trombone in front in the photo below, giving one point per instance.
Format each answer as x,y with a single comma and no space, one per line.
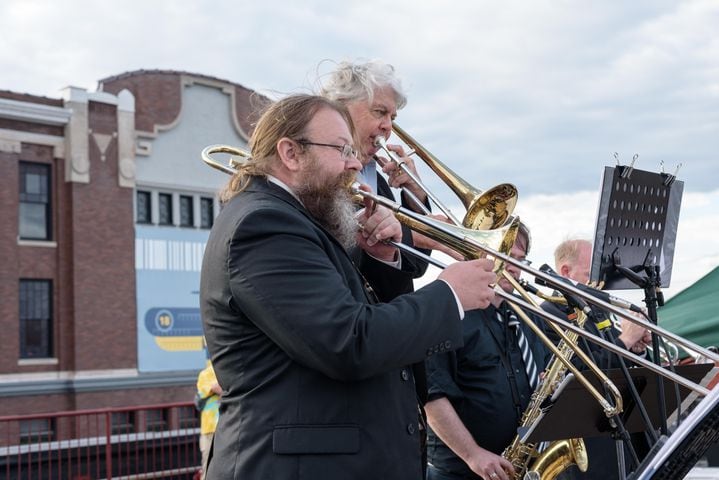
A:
312,368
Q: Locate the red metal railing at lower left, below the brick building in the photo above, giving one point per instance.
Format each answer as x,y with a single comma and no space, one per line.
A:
147,441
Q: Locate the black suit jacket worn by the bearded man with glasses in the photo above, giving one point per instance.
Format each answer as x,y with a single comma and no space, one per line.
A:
313,376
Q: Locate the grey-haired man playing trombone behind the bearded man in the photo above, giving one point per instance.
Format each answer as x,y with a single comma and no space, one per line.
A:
373,93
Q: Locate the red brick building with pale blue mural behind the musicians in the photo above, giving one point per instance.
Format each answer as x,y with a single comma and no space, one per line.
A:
106,207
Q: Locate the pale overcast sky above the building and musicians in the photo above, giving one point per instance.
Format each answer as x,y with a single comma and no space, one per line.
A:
540,94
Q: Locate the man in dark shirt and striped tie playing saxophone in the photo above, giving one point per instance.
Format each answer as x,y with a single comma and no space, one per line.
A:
477,393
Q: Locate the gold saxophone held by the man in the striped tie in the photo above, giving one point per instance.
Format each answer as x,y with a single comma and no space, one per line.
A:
562,453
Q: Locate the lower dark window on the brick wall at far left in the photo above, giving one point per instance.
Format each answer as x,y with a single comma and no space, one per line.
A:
35,319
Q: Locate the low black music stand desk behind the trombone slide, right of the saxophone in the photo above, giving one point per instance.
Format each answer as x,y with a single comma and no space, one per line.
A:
576,413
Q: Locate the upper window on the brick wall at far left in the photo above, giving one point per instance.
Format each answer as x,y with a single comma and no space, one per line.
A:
34,223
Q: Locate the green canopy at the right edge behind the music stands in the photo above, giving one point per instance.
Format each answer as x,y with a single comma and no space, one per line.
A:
693,313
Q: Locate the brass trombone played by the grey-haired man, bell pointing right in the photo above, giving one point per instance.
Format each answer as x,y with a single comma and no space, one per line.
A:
488,209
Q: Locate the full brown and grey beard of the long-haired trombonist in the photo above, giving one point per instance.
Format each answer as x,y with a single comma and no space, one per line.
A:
330,203
